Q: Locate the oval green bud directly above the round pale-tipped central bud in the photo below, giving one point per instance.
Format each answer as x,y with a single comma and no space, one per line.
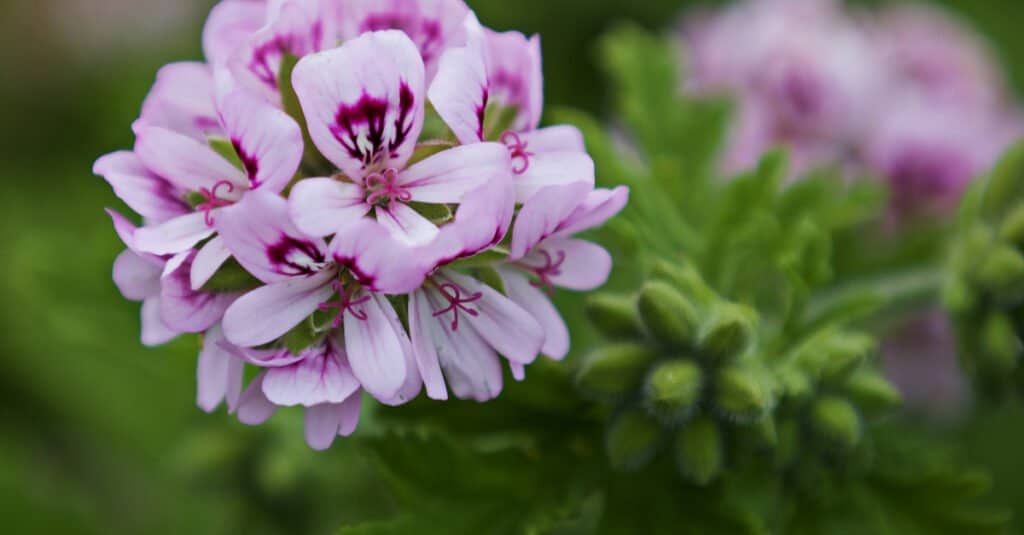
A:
670,317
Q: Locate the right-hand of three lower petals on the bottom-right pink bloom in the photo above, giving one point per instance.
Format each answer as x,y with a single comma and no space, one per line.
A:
505,325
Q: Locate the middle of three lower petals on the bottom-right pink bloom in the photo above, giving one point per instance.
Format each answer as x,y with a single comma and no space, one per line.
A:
472,367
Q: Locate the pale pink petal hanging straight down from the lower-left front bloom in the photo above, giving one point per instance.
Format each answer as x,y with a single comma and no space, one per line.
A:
375,352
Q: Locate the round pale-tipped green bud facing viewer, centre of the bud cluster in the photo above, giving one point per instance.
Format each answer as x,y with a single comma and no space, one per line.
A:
673,390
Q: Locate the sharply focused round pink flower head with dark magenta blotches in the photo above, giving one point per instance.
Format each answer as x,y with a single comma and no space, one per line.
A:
355,196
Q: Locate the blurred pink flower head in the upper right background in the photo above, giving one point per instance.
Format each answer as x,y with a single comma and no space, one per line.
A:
908,94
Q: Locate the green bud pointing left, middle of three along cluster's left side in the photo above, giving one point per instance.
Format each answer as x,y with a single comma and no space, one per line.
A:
615,371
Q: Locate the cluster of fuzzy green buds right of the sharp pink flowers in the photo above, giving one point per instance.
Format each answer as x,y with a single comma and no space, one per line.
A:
686,372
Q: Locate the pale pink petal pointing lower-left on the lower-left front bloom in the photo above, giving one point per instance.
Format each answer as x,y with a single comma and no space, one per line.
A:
266,314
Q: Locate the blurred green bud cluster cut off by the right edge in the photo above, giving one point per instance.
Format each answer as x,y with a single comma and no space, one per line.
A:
985,286
